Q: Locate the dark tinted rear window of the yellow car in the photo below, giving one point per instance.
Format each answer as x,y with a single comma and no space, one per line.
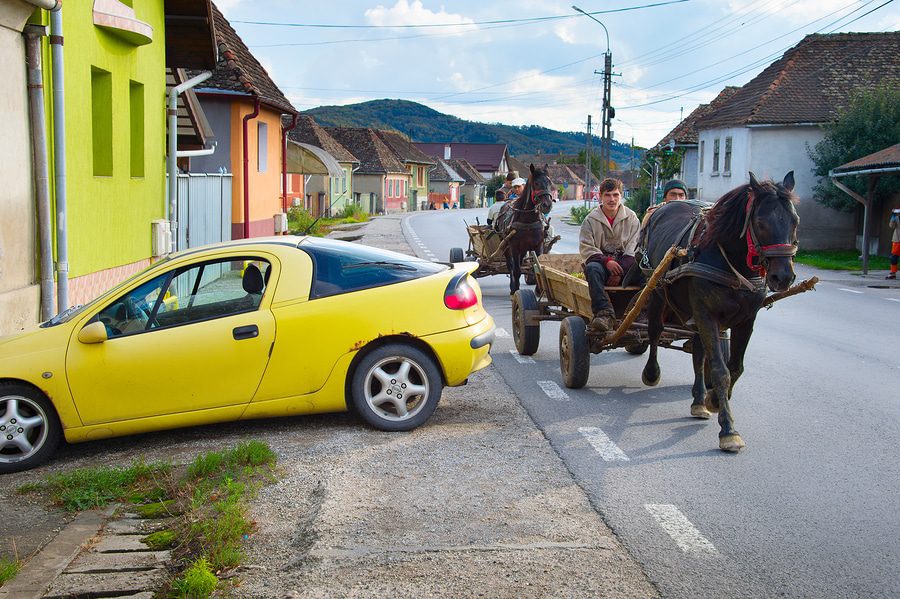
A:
342,267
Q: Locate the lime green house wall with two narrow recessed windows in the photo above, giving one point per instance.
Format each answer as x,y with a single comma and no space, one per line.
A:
115,96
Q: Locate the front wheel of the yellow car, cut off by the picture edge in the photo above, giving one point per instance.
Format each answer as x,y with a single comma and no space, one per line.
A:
29,428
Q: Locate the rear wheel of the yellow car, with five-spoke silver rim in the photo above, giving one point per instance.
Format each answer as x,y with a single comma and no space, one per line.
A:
387,370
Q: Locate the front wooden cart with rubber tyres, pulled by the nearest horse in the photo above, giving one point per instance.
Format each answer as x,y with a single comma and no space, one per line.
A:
561,296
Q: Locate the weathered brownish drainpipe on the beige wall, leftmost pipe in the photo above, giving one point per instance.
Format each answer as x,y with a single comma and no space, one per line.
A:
33,35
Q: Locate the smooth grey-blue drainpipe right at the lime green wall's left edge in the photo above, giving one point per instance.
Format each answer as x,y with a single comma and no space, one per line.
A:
59,162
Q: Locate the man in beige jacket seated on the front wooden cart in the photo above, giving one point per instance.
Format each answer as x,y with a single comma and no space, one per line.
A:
607,243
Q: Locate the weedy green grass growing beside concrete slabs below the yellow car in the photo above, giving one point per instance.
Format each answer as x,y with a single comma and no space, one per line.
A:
210,496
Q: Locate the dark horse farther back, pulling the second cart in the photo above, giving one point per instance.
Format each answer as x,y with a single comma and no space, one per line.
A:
524,216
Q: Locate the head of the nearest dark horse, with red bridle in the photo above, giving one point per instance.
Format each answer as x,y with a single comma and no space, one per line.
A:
770,228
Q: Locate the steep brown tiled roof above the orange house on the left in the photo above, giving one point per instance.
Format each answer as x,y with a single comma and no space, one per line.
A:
239,71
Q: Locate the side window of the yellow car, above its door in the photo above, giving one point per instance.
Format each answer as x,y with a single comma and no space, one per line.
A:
191,294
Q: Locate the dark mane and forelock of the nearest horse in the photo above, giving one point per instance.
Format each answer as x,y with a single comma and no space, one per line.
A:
725,220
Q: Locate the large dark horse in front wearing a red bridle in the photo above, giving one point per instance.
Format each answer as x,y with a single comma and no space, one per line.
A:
744,243
